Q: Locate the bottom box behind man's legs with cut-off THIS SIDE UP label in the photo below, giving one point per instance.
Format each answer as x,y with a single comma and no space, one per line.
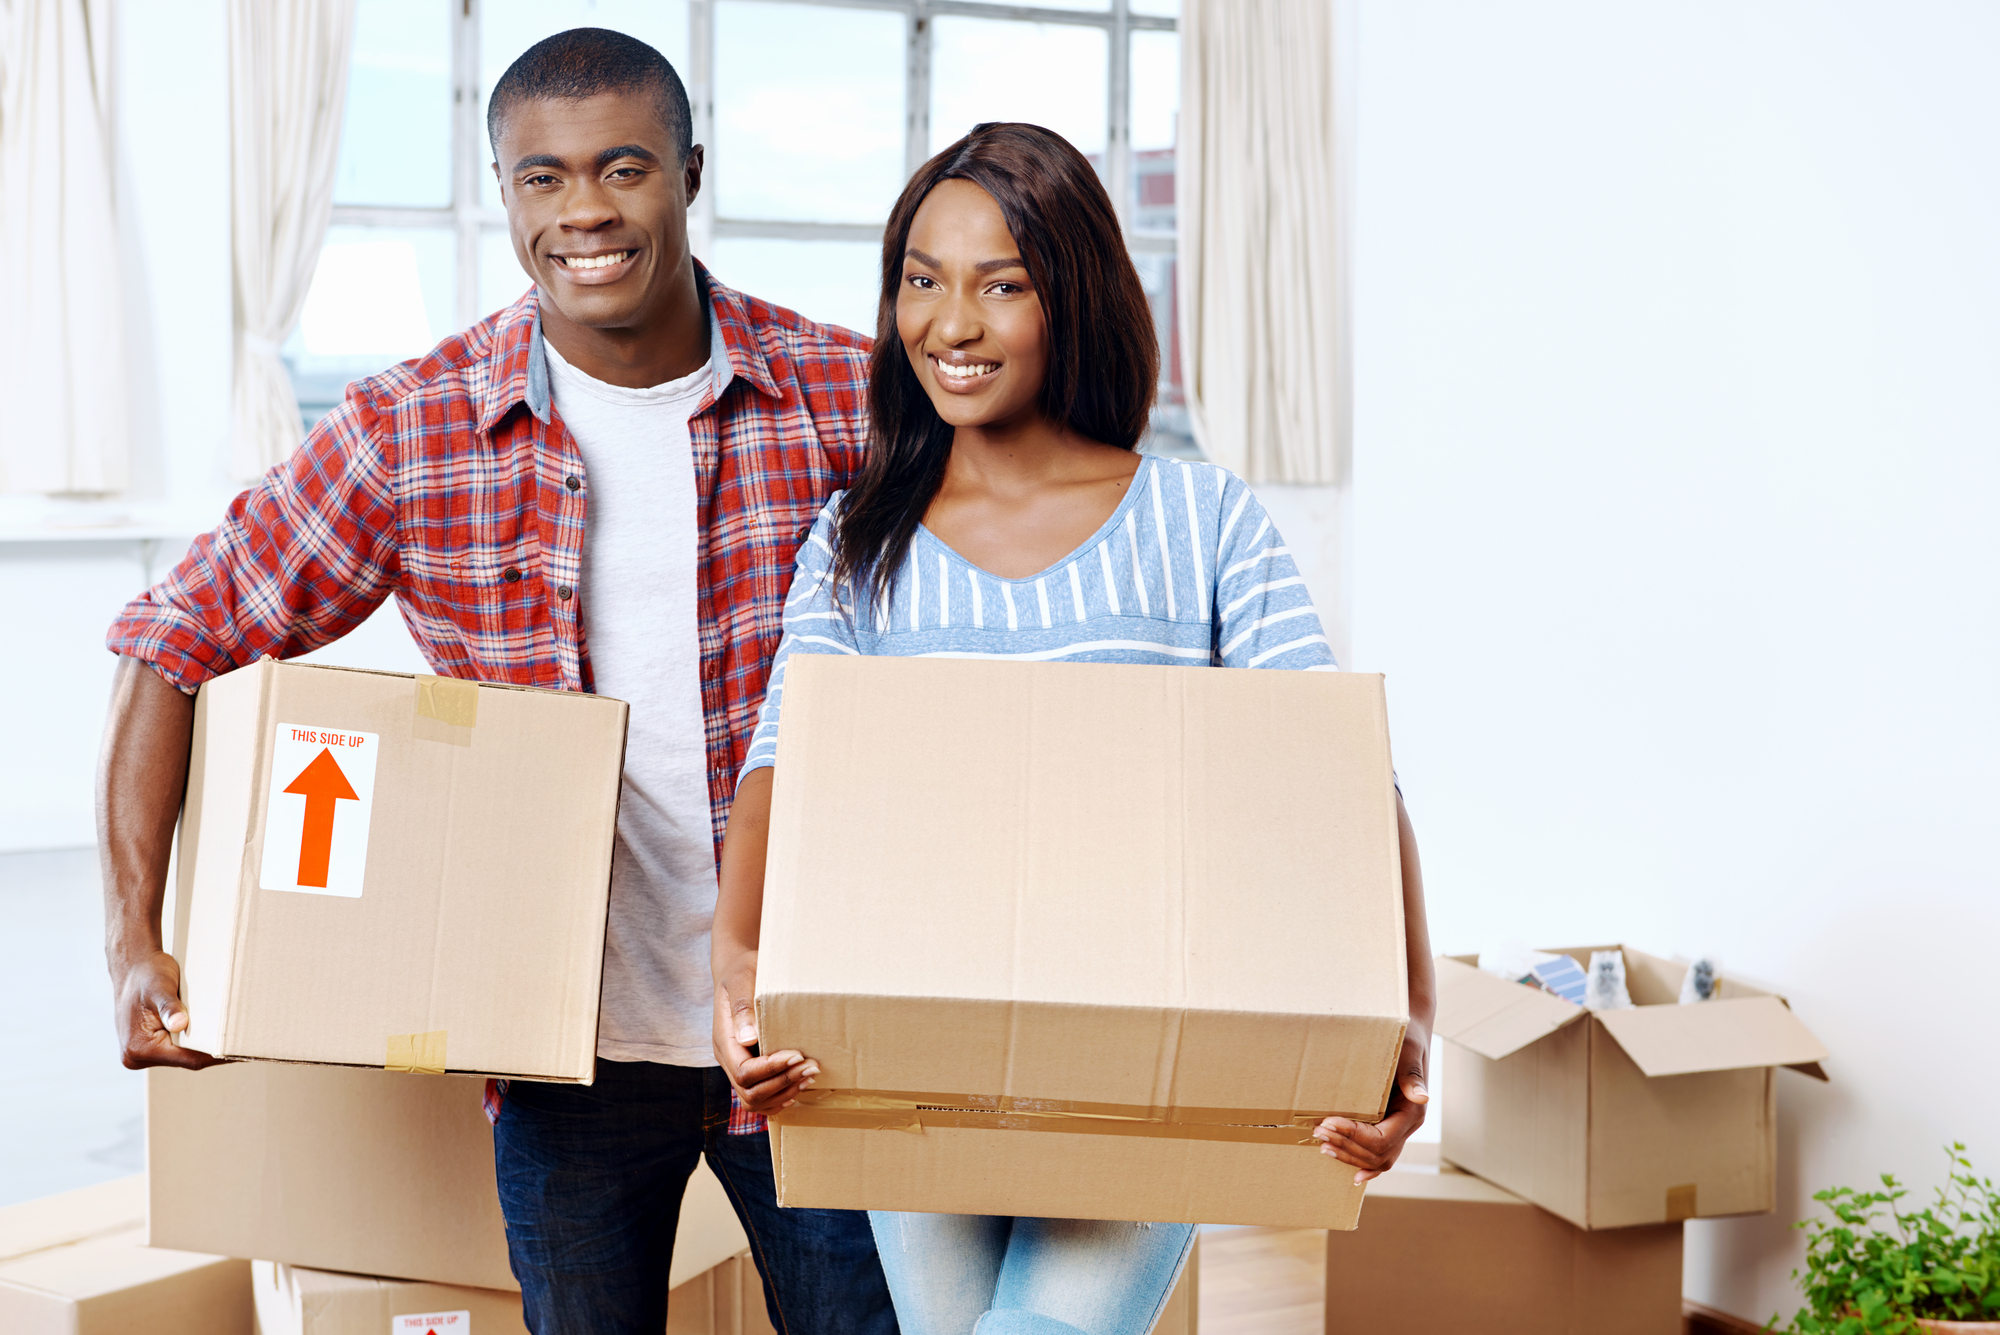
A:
725,1300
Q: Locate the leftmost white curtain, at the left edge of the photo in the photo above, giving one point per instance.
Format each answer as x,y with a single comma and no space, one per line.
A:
61,315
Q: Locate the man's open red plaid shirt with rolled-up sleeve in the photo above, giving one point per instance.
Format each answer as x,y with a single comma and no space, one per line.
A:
451,485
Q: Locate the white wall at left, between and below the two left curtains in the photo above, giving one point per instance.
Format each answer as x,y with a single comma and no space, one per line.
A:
175,245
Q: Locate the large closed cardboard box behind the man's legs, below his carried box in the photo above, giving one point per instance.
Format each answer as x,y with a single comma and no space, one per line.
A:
363,1172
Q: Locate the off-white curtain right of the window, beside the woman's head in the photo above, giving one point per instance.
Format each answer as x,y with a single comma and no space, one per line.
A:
1263,237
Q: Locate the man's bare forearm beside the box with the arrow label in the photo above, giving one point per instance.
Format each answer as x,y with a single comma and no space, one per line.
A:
143,774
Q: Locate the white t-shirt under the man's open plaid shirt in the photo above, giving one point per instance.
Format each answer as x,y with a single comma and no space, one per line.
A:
639,605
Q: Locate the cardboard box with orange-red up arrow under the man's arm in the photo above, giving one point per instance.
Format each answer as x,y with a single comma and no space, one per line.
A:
385,870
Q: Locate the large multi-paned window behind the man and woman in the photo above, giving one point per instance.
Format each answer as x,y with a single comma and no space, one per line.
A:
815,113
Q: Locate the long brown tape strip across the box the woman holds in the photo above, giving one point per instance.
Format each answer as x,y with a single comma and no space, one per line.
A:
889,1110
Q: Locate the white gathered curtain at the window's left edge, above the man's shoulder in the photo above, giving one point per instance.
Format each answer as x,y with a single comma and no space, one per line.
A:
289,85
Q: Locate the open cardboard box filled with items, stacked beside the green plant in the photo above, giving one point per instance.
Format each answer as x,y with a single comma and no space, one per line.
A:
1651,1114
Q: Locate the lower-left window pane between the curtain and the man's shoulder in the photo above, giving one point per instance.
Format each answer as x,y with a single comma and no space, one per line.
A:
379,297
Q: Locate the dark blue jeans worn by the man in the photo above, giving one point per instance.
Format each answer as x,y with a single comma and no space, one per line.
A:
591,1184
